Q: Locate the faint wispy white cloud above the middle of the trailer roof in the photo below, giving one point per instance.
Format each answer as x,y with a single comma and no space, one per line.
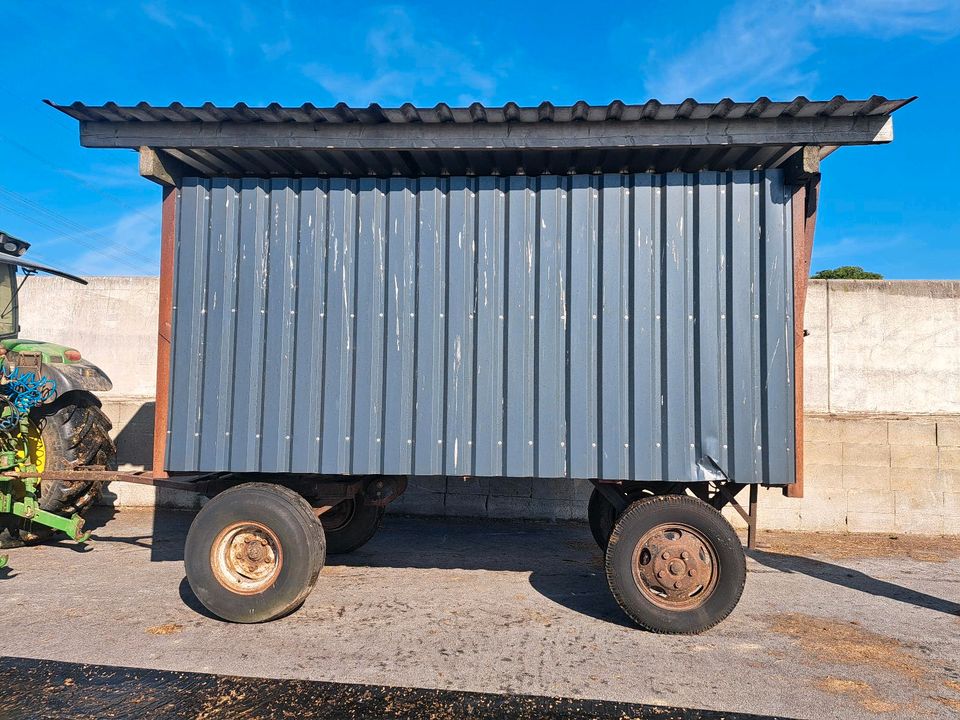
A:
405,61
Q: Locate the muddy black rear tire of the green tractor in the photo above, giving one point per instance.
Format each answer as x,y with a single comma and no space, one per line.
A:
73,431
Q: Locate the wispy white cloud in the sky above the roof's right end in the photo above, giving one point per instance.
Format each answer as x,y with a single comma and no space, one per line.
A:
762,47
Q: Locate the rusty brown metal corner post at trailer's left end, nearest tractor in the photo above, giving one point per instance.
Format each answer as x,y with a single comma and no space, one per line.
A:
168,232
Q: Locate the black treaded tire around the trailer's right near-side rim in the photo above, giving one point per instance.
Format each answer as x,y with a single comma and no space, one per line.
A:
643,515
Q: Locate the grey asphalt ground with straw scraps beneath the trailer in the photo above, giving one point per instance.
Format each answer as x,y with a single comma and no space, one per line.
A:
435,609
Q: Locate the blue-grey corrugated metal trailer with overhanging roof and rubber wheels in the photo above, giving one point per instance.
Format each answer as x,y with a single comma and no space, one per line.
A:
350,297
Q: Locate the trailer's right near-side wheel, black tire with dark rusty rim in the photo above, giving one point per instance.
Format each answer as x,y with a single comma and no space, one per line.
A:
675,565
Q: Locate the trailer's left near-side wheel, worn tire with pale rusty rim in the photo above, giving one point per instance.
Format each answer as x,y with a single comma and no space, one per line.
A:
253,553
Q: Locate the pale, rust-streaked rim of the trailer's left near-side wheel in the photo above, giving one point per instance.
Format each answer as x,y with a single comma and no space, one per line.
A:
246,557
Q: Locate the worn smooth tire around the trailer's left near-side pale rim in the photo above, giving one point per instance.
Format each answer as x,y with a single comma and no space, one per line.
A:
301,539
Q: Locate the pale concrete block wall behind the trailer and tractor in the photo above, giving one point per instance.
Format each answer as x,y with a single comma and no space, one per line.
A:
882,381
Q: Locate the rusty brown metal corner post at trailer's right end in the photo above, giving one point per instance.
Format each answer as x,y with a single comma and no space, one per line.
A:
805,199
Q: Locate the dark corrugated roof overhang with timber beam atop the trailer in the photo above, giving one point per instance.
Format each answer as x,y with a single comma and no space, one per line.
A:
381,142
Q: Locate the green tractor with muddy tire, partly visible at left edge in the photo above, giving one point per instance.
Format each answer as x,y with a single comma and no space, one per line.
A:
50,420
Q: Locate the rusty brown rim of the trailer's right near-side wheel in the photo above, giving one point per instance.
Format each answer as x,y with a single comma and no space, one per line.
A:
675,567
